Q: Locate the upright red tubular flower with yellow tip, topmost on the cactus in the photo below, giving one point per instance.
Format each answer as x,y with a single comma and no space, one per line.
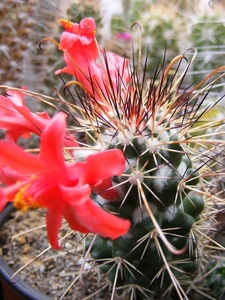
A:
81,51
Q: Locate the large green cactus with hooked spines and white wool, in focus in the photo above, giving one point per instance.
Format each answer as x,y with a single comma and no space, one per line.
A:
166,189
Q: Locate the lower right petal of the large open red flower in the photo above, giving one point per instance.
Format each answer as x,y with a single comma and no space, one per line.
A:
83,215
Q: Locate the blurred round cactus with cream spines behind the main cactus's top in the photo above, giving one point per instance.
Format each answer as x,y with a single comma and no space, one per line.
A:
162,29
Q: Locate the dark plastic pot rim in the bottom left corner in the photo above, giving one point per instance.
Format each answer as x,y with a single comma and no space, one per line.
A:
16,289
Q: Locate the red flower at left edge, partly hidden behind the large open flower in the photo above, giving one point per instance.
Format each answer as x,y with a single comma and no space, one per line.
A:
18,120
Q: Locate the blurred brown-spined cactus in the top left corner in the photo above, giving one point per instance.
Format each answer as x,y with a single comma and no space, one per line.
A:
16,29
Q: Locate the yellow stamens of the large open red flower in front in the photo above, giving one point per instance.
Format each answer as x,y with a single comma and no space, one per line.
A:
22,202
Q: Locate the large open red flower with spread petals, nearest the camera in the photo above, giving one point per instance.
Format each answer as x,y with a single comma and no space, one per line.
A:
64,189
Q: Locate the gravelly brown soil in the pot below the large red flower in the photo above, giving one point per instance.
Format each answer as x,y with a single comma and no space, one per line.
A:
55,273
